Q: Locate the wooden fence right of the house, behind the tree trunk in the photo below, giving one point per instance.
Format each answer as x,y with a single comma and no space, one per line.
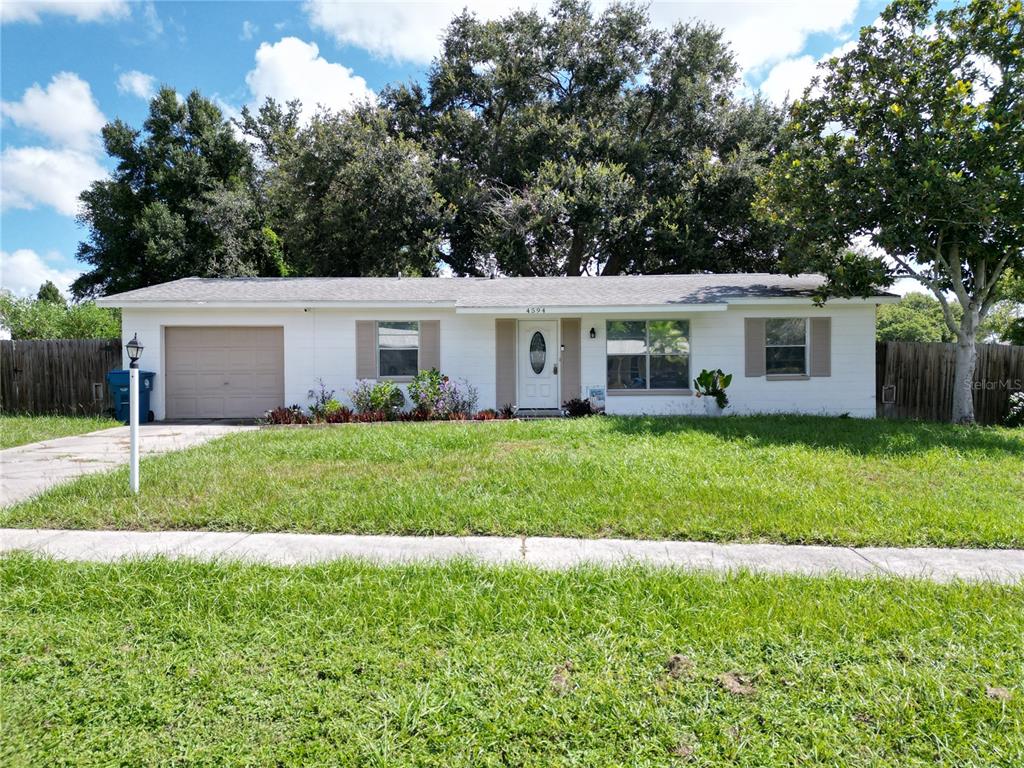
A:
918,378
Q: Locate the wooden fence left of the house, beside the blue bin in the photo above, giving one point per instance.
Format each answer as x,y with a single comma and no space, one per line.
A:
66,376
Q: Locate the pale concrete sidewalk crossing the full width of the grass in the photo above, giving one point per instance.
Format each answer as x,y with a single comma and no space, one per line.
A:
293,549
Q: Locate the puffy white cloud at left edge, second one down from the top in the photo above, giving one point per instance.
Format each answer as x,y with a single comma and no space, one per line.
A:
66,112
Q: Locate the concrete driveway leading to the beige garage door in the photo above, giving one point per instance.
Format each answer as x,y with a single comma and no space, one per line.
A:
27,471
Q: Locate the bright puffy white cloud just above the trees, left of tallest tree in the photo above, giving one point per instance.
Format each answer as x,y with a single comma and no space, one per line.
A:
293,69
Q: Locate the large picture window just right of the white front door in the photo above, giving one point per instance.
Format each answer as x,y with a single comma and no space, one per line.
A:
649,355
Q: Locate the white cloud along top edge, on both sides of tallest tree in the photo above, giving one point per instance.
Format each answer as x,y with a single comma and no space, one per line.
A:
761,31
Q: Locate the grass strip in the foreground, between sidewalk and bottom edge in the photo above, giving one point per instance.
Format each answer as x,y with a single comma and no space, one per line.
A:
183,664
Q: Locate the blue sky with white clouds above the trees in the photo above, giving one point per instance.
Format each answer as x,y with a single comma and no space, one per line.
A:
68,67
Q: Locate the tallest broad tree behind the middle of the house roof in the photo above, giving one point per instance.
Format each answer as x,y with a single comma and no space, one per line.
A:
573,143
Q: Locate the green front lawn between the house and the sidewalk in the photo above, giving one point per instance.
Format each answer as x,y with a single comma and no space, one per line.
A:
766,479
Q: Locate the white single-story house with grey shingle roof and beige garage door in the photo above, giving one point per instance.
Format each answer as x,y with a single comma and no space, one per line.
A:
237,348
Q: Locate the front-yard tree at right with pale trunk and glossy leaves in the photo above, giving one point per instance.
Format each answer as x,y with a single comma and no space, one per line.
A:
915,140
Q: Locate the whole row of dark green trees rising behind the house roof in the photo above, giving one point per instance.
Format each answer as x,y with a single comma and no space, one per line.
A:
566,144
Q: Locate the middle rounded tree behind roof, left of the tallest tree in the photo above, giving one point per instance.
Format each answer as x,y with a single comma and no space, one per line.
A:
346,195
